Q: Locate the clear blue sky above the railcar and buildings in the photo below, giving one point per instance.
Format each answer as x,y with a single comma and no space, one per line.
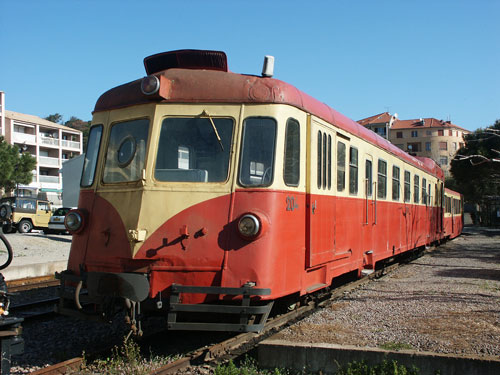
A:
437,58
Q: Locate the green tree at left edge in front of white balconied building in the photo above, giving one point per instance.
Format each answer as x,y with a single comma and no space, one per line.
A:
15,168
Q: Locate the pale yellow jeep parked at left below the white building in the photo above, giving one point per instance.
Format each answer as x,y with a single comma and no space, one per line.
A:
24,214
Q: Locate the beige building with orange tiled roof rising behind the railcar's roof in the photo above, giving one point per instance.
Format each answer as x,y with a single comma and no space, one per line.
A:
428,137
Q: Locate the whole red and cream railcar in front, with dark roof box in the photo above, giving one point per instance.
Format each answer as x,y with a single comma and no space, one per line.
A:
206,192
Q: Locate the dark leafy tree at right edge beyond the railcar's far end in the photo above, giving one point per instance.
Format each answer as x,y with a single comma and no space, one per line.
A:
476,167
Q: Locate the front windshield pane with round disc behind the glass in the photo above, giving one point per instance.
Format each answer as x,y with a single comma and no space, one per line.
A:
126,152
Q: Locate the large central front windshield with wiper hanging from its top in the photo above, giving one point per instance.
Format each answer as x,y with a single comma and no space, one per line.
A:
194,149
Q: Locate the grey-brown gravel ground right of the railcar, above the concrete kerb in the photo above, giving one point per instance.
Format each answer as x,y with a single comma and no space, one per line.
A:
447,301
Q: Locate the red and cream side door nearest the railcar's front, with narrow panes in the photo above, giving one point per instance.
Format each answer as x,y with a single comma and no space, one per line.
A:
320,234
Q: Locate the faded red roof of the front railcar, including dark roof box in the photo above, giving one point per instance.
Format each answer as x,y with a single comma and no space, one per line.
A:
185,79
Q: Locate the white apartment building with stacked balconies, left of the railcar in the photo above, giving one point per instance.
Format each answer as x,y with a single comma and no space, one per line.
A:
50,143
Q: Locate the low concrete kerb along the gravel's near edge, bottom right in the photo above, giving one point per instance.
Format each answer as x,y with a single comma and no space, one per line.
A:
327,358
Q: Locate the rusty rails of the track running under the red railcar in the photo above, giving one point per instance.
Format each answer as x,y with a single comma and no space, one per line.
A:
242,343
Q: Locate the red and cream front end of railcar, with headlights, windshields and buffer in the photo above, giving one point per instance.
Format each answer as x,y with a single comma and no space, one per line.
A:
176,213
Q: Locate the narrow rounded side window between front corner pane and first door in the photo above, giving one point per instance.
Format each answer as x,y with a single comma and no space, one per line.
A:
291,173
